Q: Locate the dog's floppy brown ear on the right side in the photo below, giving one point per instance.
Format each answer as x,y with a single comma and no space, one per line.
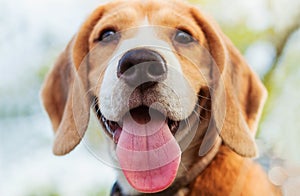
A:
238,88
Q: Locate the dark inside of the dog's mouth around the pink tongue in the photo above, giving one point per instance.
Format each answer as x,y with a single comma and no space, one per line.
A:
141,115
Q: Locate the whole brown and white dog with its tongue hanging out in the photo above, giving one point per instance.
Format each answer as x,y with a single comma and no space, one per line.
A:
176,98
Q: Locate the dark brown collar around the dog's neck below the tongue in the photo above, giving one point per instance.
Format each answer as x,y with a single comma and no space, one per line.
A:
181,182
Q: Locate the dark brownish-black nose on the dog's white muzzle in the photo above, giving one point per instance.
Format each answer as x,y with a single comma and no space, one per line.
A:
142,66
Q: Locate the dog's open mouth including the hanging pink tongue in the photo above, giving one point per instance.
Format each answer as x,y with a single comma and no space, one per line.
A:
146,148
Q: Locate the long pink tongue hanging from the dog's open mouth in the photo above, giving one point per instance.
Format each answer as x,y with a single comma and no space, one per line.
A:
148,154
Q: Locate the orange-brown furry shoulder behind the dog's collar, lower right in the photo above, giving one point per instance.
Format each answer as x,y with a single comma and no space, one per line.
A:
233,175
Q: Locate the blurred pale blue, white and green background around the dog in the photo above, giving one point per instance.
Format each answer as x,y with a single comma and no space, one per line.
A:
34,32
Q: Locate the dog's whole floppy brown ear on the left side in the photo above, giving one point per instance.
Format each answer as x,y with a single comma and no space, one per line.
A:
64,93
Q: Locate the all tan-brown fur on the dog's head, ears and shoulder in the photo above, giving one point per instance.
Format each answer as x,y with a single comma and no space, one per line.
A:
230,173
